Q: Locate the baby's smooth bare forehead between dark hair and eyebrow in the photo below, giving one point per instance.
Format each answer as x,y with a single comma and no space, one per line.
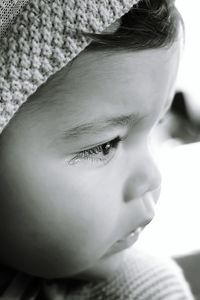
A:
99,85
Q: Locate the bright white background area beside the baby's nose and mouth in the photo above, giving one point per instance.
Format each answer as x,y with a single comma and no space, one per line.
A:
176,228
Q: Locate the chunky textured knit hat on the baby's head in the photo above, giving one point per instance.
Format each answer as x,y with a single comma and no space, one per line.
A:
39,37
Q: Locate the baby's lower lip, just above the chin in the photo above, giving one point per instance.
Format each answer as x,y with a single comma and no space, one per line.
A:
125,243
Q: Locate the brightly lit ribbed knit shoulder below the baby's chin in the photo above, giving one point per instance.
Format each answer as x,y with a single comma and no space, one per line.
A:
154,277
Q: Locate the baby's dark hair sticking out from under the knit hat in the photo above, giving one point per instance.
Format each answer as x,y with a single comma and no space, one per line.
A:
149,24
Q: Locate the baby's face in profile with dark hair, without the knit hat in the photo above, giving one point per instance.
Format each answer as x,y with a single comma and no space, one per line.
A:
76,172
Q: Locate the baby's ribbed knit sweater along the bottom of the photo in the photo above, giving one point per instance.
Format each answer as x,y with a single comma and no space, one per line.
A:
141,277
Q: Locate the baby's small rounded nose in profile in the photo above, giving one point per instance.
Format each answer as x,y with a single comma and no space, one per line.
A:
143,177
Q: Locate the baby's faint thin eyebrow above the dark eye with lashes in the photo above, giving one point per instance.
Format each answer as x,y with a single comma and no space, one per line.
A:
99,126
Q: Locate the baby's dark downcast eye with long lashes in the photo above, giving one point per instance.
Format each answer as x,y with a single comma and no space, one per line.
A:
101,154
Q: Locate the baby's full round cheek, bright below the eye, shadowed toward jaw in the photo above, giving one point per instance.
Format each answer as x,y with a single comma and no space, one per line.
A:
60,220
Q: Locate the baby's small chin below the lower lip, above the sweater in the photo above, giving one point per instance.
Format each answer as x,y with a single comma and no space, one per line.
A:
104,269
